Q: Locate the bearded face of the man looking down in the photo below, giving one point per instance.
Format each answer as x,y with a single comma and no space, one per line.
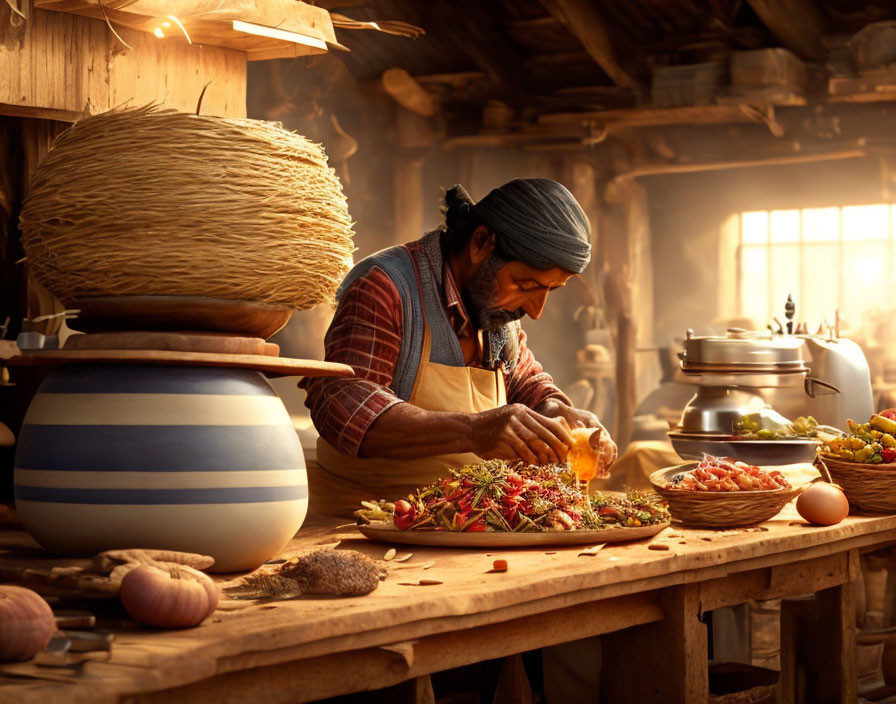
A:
501,291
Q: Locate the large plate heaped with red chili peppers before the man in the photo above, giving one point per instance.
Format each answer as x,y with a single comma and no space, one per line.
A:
498,503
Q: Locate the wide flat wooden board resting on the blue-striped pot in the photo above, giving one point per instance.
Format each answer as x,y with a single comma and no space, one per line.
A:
274,366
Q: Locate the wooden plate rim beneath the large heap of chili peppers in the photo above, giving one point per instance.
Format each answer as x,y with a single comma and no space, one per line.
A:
387,533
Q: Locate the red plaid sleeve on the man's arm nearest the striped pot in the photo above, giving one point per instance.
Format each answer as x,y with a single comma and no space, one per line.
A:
366,335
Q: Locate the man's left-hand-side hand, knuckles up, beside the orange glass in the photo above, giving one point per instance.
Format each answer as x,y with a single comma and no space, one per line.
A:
517,432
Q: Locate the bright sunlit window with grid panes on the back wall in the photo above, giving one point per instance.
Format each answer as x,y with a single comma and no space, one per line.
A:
829,259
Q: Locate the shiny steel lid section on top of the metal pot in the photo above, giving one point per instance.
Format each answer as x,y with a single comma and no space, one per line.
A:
743,351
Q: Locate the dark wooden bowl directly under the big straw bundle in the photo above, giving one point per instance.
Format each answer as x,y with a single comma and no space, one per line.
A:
199,313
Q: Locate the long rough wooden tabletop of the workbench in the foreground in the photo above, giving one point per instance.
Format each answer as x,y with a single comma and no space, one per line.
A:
468,598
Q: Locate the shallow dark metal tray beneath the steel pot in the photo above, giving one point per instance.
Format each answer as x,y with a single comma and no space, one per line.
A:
763,453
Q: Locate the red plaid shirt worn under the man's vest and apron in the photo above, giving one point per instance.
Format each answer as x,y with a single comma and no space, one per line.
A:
366,334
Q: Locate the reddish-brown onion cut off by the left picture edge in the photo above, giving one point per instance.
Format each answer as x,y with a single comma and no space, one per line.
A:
26,623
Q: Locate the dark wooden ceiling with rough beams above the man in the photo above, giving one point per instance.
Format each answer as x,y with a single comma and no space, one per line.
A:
573,71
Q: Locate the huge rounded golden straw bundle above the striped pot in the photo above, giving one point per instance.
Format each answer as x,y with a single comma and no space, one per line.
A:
154,202
